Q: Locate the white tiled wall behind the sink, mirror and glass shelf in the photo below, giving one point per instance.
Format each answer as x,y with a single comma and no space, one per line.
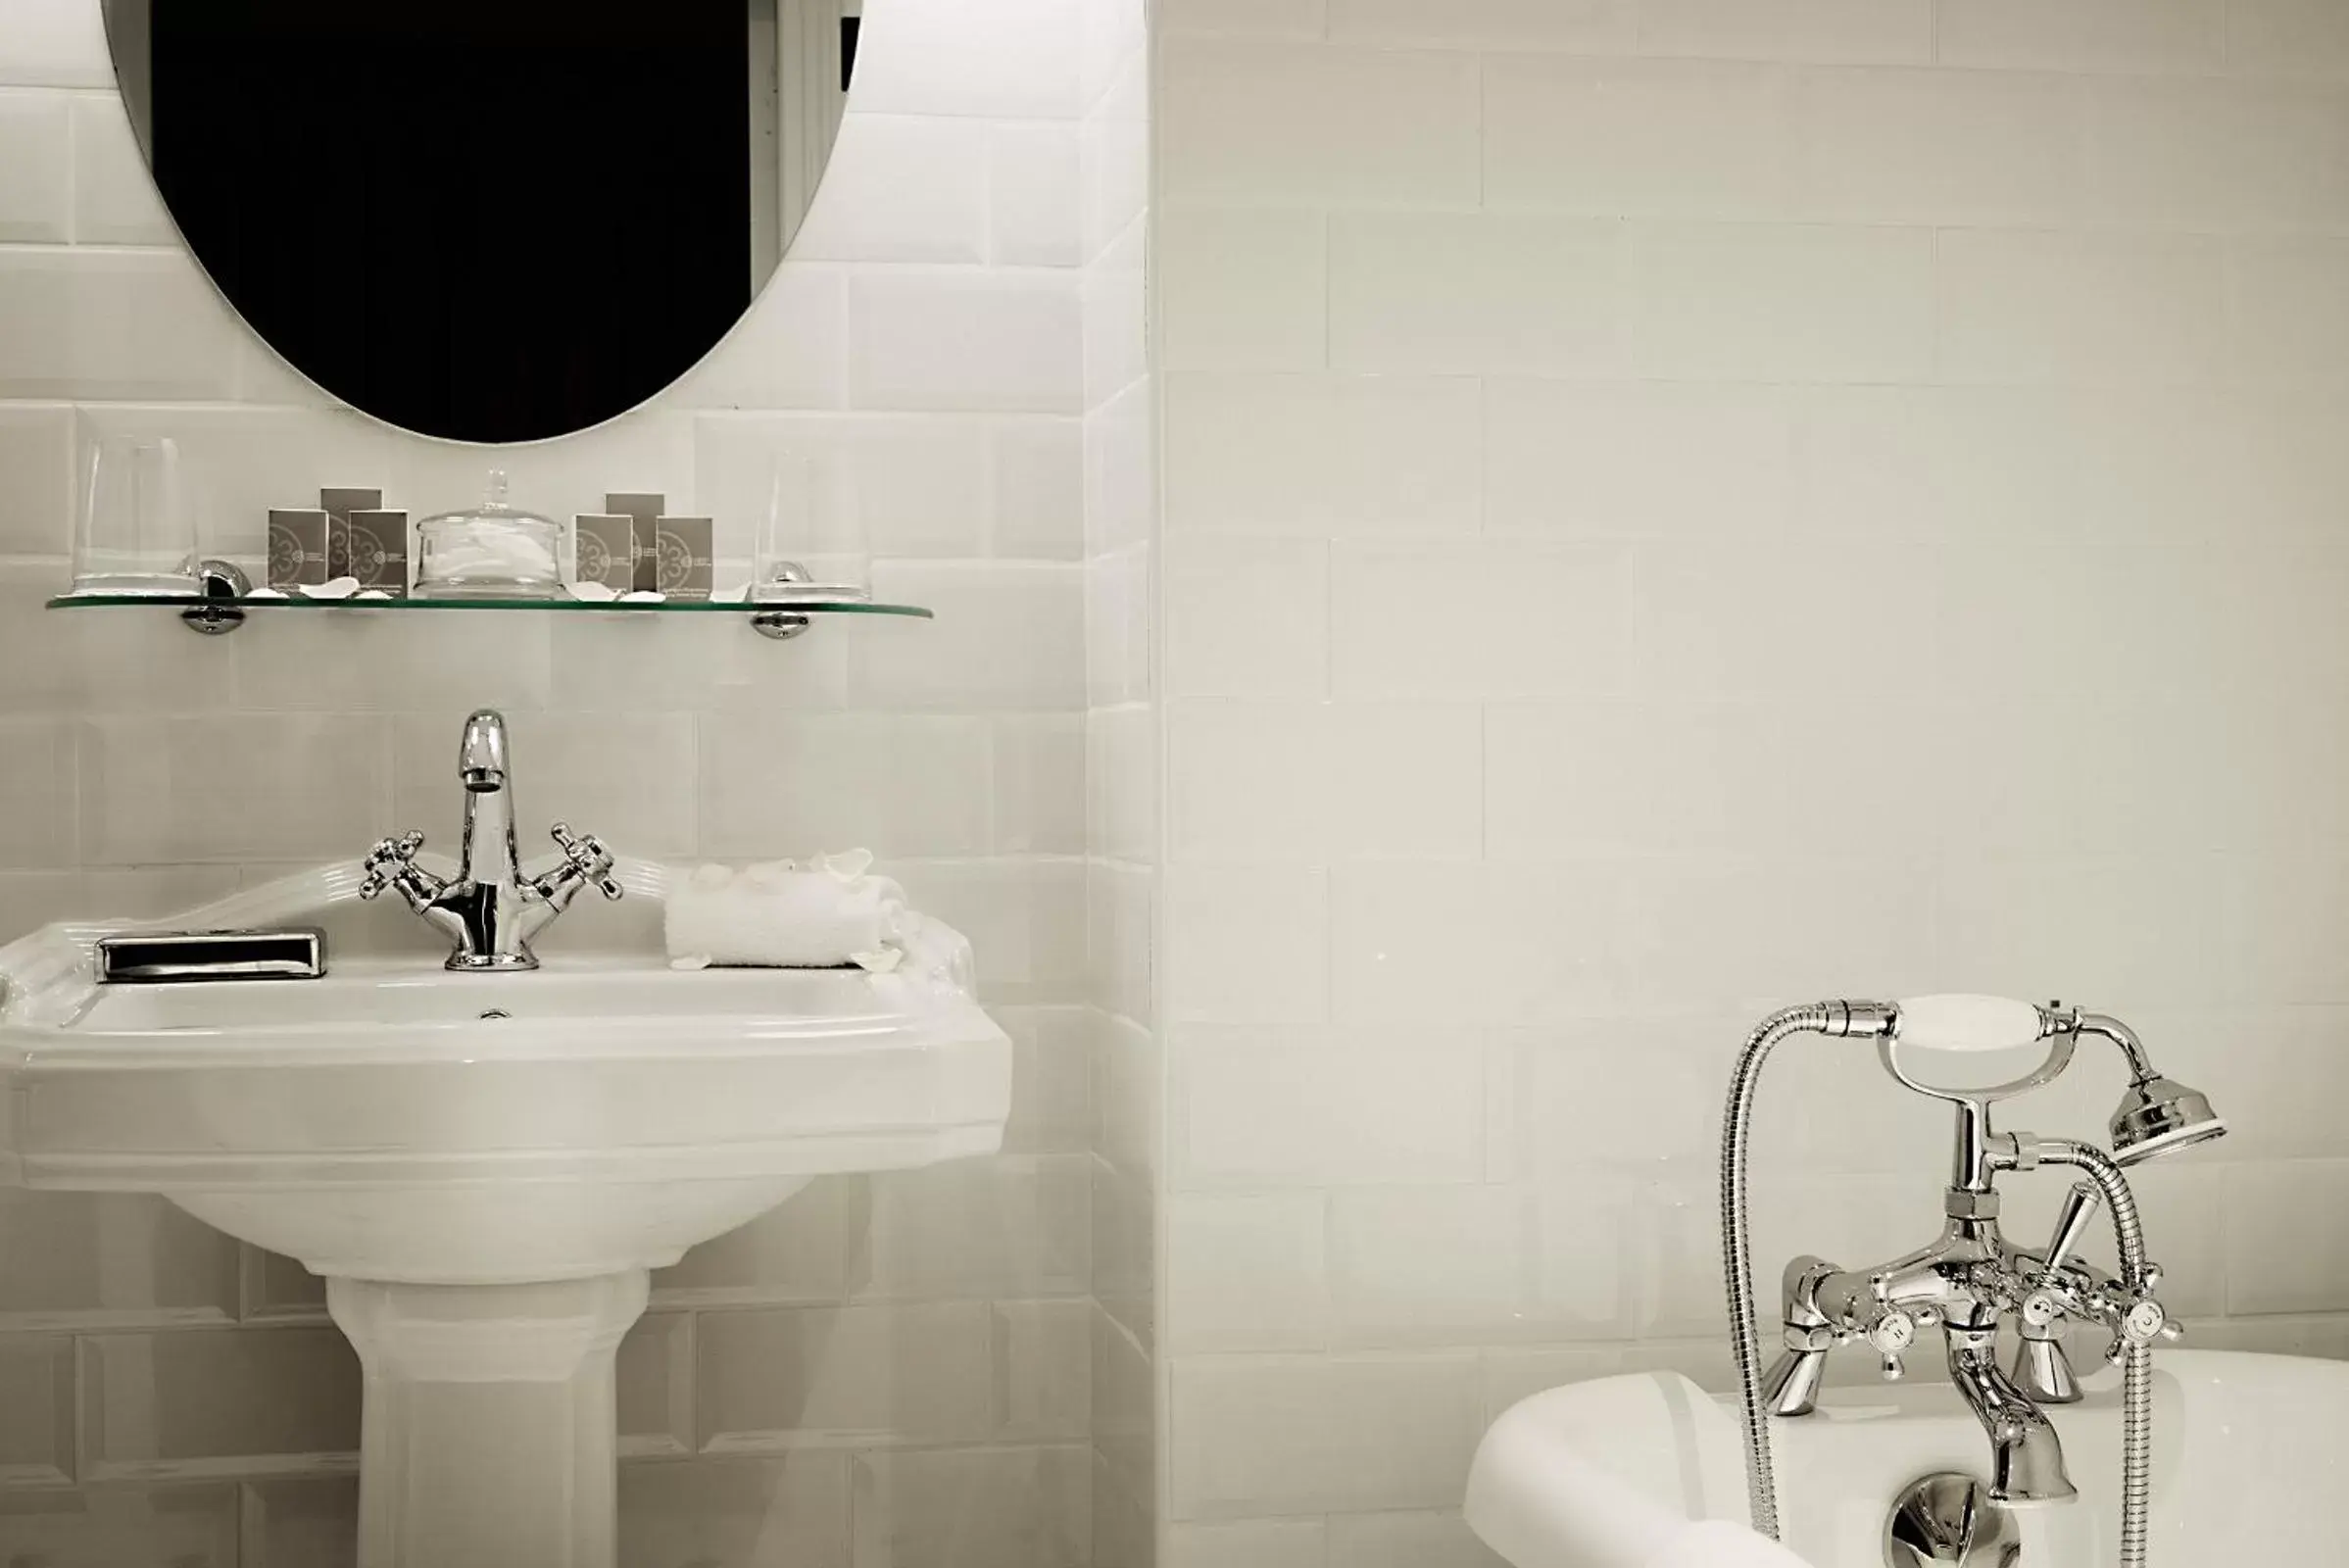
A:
884,1374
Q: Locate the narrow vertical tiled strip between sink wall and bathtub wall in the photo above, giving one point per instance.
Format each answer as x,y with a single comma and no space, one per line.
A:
1124,1374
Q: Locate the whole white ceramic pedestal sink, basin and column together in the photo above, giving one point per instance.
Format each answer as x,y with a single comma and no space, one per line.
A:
487,1168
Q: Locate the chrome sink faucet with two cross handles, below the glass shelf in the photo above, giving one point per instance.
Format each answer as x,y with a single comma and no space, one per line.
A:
490,912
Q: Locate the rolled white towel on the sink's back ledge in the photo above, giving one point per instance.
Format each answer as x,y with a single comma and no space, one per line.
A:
788,917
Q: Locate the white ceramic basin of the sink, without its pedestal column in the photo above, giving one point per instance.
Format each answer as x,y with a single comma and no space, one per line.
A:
408,1123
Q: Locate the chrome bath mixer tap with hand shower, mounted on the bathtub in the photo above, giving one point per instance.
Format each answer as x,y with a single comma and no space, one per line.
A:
1972,1280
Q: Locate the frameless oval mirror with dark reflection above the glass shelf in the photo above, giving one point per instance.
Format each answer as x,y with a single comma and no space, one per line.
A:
487,219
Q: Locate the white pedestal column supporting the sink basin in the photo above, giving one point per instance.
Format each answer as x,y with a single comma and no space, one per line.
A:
490,1431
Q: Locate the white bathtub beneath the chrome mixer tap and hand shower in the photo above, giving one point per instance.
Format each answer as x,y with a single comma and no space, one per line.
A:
2252,1461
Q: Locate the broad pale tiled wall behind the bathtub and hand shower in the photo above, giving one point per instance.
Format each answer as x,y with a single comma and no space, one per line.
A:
1655,489
